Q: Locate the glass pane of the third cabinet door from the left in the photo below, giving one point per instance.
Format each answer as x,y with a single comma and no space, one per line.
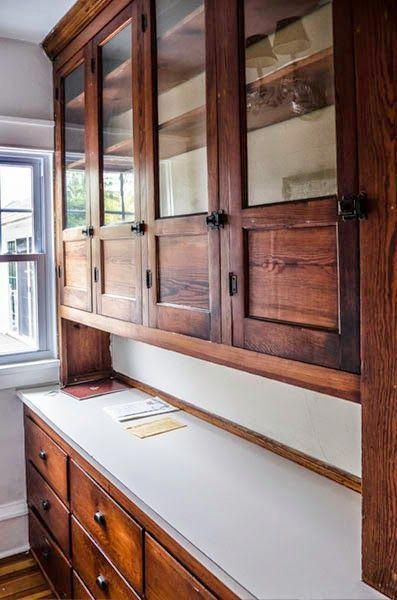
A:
182,107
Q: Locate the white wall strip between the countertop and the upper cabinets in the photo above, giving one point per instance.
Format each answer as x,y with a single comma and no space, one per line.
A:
324,427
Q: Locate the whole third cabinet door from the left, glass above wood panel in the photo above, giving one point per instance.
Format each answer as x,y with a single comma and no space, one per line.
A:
184,251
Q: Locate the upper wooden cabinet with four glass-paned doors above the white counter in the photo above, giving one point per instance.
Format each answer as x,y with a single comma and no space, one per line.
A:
207,175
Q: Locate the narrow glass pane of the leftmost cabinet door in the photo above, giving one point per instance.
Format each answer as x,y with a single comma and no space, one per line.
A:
75,182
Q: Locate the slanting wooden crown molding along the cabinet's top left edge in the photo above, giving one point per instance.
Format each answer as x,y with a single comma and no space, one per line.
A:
81,14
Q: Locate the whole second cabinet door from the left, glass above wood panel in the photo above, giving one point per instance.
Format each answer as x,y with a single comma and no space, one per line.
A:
118,226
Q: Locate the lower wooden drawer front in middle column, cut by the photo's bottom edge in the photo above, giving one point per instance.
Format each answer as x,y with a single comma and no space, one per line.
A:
100,576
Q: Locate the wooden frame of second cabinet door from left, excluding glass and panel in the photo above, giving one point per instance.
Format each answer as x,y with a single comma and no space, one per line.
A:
118,307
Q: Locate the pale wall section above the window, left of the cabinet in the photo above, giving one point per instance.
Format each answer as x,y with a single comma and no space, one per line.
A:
26,110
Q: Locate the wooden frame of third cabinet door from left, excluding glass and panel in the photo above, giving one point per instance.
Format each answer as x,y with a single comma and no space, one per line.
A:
187,320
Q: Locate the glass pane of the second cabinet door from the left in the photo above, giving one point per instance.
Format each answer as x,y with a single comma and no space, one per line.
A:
117,132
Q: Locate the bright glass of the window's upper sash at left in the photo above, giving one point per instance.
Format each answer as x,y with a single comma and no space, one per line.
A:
16,215
